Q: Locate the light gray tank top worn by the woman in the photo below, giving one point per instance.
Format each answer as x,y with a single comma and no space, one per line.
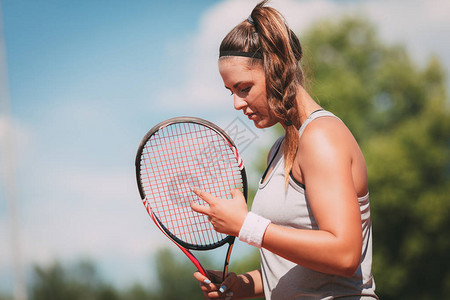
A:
283,279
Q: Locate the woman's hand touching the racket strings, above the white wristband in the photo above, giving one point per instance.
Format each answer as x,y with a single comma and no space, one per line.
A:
226,215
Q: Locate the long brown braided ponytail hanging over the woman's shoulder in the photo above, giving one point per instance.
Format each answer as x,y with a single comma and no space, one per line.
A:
282,52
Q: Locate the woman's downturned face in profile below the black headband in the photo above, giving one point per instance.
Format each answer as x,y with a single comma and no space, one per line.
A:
247,84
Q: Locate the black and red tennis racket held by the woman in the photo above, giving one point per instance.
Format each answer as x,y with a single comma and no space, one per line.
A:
176,155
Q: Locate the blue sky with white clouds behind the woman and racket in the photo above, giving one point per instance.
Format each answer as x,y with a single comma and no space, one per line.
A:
87,79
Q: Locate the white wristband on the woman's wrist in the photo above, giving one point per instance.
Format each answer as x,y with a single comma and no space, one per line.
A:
253,229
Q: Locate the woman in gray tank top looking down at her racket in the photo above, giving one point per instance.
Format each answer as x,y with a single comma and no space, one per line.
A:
310,216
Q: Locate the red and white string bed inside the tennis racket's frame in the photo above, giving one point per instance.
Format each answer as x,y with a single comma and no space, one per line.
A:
181,156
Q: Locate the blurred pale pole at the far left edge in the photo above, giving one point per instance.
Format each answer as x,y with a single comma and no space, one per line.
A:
9,172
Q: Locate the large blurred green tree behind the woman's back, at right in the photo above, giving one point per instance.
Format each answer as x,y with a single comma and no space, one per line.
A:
399,113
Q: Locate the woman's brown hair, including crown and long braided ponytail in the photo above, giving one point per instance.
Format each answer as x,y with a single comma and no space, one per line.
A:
266,32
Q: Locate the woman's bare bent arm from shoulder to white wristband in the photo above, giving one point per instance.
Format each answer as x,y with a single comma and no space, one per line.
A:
326,168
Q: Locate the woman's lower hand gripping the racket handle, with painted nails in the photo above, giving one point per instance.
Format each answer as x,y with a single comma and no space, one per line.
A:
213,290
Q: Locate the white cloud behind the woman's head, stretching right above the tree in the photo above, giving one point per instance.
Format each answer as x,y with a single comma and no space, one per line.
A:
423,26
